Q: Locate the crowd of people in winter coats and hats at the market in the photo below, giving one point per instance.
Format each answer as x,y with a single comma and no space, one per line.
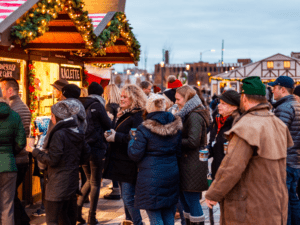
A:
148,144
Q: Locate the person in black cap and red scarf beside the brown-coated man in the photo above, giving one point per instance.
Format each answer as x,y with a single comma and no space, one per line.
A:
228,111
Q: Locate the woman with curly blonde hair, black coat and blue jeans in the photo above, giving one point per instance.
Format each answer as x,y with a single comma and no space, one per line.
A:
119,166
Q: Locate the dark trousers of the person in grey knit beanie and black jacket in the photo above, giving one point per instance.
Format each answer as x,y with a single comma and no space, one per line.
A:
62,212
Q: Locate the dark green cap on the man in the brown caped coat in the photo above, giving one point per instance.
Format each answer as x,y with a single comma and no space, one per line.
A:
253,86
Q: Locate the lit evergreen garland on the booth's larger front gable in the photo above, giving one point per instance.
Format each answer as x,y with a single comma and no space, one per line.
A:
35,23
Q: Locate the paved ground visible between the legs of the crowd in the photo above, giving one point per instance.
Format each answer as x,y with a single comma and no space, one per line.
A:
112,211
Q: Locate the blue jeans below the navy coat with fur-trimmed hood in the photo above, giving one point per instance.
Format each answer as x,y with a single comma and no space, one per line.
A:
163,216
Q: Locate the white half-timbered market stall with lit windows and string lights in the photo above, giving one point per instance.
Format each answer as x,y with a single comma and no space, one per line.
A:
267,69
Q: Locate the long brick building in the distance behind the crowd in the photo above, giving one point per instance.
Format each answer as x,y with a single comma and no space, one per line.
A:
197,72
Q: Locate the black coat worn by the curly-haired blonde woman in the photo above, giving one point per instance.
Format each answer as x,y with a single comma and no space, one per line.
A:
118,166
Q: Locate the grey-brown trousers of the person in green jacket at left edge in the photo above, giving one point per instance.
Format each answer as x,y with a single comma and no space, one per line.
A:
7,194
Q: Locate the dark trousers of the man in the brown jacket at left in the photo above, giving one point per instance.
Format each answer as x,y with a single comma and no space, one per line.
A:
21,217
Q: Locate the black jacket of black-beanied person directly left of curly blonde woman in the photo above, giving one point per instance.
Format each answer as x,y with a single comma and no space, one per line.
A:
101,123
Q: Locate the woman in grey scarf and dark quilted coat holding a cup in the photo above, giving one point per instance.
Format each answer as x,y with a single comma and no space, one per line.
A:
192,171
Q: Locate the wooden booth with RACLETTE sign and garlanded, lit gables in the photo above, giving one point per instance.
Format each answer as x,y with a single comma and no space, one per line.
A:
42,41
